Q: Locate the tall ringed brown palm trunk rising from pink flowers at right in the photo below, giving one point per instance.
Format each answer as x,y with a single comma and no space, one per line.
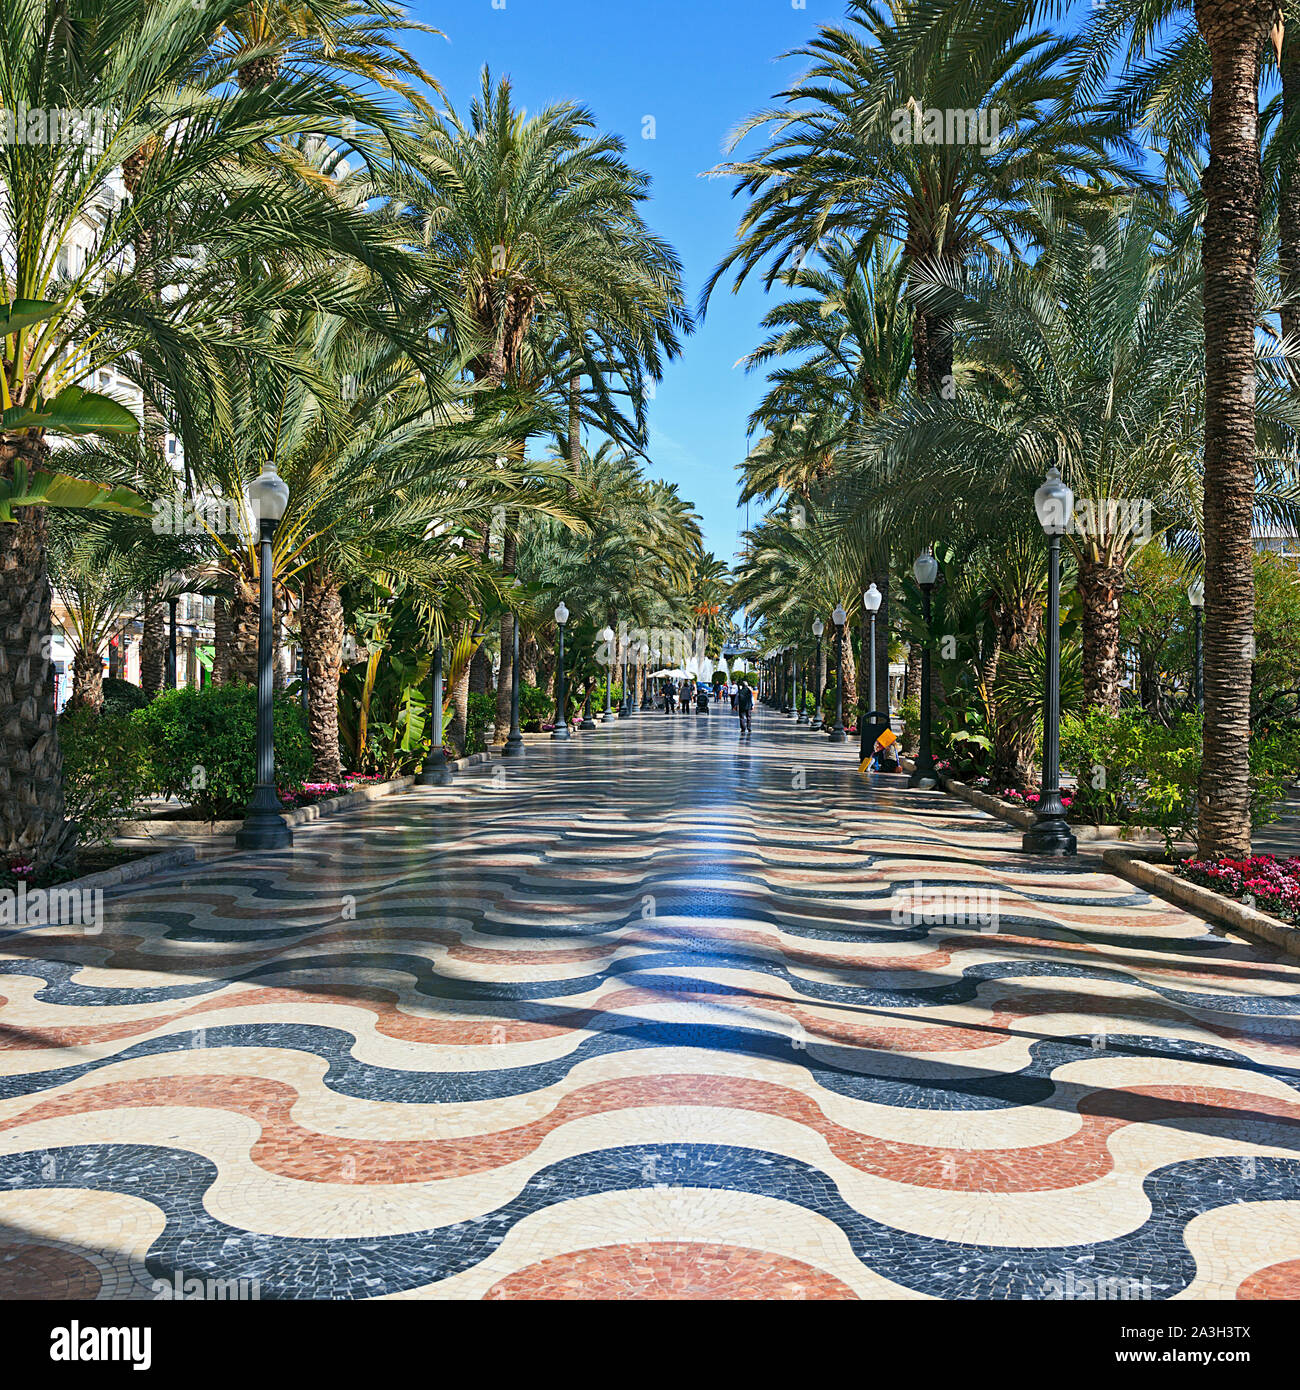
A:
1235,33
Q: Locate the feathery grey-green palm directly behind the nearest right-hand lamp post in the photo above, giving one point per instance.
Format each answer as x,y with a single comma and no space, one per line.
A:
1089,361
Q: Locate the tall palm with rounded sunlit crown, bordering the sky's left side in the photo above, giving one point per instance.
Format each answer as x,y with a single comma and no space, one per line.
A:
539,219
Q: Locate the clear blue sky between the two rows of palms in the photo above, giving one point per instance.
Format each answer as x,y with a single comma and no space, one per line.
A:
699,67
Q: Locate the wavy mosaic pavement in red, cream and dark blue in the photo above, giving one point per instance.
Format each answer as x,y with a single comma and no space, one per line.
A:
661,1014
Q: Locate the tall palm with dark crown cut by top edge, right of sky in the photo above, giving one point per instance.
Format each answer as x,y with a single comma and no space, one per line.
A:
853,151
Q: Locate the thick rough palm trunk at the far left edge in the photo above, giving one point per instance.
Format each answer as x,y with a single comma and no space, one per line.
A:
33,825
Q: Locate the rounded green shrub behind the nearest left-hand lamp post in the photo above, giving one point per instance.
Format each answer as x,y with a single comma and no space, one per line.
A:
205,746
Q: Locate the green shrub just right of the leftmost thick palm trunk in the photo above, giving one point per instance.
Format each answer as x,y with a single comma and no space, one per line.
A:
106,769
